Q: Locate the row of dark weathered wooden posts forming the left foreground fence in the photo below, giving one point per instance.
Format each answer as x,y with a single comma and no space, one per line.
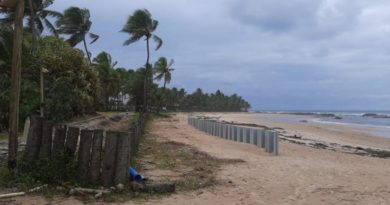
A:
102,156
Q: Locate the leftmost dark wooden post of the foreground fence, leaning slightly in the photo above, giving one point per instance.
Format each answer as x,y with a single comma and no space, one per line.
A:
34,139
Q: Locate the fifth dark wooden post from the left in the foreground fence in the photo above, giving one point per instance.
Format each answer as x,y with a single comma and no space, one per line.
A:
84,155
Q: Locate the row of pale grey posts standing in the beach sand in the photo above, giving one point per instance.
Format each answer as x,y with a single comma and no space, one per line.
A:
266,139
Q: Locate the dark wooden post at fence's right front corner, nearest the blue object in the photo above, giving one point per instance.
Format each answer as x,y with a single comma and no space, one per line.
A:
122,157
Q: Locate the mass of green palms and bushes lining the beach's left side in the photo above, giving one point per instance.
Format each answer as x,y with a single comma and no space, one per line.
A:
47,75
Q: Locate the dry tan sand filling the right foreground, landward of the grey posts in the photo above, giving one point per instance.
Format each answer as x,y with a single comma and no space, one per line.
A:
300,175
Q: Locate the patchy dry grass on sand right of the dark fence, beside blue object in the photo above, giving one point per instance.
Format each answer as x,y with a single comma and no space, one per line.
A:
194,169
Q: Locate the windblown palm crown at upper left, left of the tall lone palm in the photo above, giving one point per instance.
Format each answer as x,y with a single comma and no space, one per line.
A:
75,22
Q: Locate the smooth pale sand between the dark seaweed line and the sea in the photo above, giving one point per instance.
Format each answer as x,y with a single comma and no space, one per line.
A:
329,134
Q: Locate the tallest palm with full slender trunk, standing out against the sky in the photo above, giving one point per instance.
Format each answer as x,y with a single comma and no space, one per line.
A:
140,25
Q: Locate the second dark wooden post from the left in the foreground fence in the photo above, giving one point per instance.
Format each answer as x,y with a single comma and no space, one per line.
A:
47,137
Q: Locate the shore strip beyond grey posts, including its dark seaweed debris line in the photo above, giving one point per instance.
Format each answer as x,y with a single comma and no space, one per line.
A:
328,136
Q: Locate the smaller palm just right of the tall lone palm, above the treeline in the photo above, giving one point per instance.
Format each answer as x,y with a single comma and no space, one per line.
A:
163,70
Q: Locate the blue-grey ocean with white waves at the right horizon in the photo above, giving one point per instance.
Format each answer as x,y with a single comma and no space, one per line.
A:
373,122
